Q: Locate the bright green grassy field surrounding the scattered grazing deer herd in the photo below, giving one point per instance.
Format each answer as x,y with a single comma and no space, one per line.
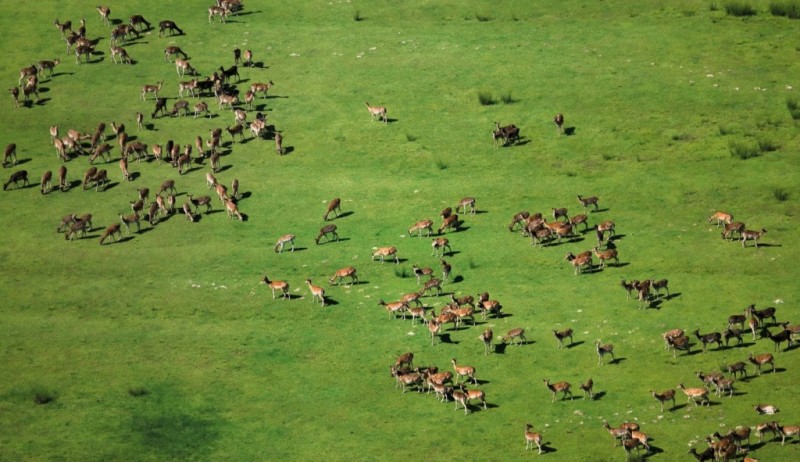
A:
165,346
